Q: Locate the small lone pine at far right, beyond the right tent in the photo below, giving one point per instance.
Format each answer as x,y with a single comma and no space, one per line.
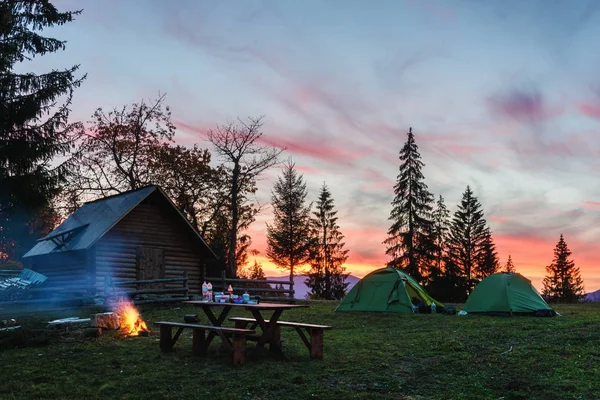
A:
563,281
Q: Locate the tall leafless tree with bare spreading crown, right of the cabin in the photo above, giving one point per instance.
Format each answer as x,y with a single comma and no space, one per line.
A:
239,146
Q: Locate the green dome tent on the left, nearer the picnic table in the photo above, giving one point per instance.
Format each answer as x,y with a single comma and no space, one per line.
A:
386,289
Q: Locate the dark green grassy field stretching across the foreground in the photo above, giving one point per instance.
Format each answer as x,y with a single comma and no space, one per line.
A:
367,356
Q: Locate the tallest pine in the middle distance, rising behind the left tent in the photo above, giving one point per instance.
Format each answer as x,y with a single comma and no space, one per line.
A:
410,240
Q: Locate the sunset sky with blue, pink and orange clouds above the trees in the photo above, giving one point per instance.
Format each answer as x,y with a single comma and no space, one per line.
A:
503,96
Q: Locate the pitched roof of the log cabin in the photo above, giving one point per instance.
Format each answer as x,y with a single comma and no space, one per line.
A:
94,219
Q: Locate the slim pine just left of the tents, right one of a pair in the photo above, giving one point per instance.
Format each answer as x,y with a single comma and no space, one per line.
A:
326,278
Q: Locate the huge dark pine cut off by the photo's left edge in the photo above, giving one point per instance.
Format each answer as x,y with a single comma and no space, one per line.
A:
30,141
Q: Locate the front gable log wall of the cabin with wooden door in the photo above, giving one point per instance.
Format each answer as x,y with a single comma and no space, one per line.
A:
150,231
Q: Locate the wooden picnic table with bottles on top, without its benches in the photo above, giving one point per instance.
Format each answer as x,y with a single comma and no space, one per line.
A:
269,327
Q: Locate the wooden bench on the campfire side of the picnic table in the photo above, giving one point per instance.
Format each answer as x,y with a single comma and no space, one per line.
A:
200,342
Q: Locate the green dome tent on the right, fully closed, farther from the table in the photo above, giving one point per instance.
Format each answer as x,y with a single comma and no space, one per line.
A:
505,293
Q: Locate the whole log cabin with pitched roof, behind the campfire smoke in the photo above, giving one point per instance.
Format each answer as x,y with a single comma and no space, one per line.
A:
137,235
